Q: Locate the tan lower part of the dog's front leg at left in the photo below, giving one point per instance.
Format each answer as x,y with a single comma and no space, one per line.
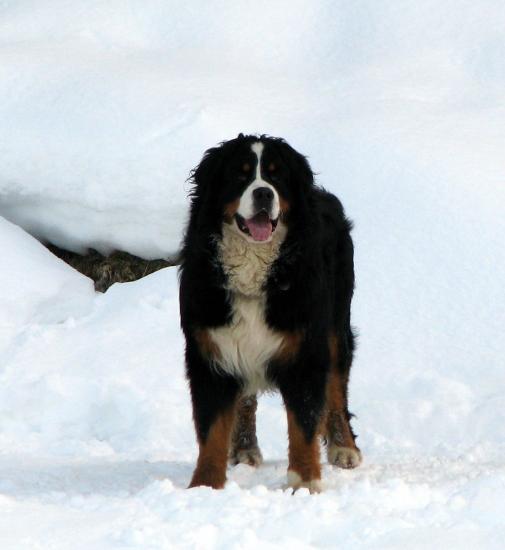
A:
212,458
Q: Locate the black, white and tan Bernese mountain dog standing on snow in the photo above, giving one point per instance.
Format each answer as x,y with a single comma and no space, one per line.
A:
266,283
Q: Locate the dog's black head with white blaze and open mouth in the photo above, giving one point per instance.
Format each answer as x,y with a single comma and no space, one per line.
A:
251,183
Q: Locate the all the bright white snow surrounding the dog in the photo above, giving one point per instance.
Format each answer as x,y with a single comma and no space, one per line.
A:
104,109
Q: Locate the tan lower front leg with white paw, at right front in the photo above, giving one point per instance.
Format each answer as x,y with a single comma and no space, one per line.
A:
304,468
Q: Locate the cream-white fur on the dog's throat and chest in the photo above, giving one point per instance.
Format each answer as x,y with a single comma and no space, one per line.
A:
247,343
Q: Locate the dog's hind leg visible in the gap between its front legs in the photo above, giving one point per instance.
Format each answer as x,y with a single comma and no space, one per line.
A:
244,445
